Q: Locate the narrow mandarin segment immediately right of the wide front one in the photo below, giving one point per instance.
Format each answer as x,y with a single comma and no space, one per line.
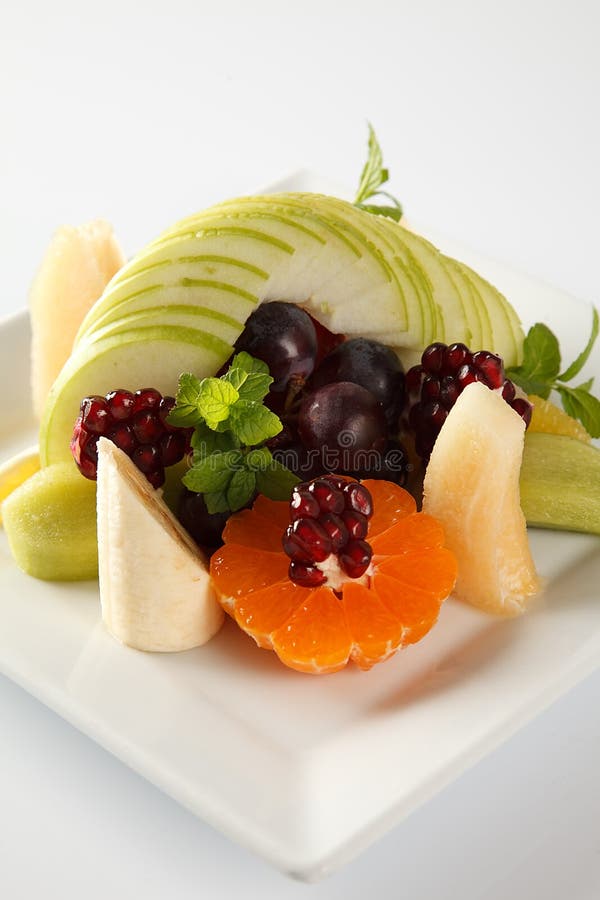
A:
376,632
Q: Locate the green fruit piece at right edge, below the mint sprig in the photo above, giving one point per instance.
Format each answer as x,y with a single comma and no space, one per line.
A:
560,483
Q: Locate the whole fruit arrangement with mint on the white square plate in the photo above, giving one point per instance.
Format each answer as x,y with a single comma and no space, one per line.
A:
299,413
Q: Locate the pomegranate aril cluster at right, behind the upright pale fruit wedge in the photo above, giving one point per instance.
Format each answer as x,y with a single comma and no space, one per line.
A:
434,386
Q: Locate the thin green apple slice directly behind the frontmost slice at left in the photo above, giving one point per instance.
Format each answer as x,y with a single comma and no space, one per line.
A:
205,320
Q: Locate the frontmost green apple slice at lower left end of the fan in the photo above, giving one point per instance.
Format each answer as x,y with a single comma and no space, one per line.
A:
147,356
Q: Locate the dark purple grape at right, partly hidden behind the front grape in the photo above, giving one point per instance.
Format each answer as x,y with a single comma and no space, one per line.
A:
370,364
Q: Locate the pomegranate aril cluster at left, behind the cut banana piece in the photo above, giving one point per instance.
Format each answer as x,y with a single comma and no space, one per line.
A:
137,424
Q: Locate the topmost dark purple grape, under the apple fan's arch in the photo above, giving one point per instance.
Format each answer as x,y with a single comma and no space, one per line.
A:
283,336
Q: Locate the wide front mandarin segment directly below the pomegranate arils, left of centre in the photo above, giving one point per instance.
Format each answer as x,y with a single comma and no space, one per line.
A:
316,639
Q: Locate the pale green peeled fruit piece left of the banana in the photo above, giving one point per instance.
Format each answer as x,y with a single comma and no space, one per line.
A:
50,522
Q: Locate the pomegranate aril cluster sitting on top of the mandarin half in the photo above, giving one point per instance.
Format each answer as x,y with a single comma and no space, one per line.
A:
329,516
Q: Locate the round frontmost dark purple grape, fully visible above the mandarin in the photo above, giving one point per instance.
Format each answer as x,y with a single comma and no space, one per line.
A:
345,423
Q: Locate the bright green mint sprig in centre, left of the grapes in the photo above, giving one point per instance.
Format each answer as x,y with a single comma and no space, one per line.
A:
231,424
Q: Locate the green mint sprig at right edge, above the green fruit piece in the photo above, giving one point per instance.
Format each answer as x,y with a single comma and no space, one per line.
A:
540,374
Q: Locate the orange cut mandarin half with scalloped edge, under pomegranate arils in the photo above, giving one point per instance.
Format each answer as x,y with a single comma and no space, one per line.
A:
318,630
